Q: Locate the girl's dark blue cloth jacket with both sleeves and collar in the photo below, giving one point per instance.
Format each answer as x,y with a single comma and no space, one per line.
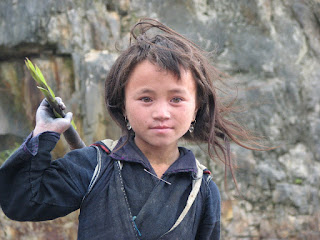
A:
127,203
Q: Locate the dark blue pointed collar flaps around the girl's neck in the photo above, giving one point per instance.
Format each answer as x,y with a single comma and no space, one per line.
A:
131,153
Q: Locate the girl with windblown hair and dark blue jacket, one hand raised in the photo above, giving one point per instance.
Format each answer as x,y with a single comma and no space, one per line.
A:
144,186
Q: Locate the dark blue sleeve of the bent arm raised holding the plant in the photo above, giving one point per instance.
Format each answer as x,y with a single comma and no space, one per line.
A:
35,188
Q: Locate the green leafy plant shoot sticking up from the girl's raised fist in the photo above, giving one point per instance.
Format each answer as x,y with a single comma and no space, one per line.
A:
45,89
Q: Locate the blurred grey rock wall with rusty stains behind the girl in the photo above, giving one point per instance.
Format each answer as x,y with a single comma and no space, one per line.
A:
271,50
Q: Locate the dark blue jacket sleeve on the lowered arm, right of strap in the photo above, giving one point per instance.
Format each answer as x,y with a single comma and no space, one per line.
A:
209,228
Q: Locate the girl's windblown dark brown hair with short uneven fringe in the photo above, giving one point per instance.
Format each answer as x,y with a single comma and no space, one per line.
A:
171,51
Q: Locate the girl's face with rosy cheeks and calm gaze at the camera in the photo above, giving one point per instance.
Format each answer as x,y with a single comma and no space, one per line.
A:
159,106
